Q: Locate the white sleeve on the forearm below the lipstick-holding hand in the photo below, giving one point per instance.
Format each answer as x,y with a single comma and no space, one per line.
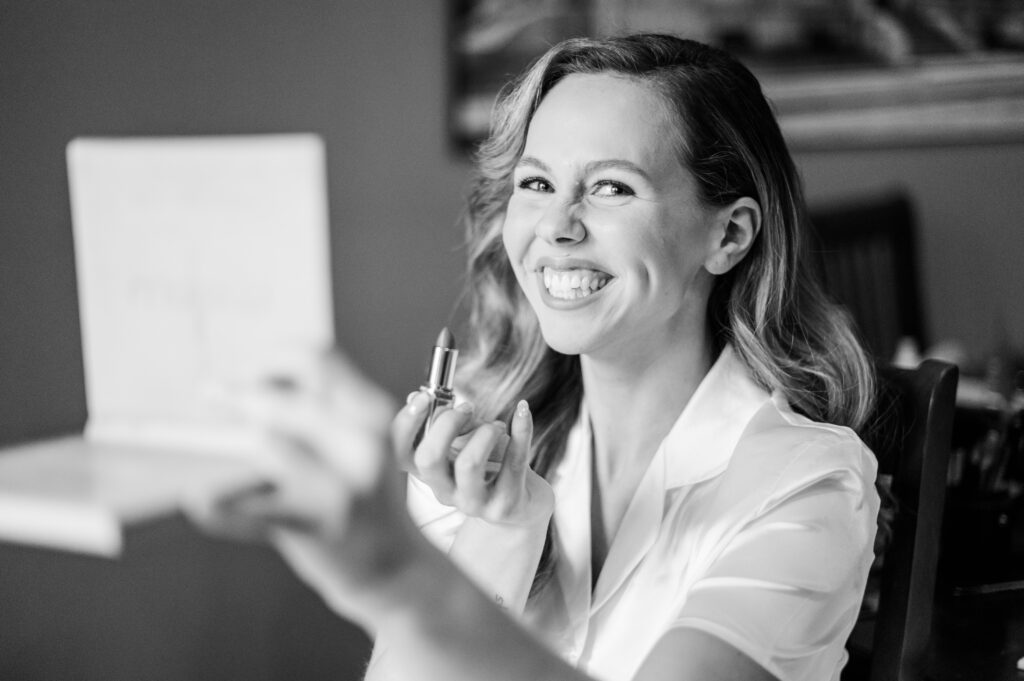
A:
501,560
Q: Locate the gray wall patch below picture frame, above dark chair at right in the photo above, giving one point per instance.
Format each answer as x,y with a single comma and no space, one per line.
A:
970,207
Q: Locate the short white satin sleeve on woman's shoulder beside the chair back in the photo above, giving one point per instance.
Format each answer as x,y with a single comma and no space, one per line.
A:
787,588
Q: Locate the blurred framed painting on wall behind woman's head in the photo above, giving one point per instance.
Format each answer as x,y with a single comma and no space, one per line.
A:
841,74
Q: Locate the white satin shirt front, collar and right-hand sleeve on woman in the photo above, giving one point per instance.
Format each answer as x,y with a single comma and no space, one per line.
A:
752,524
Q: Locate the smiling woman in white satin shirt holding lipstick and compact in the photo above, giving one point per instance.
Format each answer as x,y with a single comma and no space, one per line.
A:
681,494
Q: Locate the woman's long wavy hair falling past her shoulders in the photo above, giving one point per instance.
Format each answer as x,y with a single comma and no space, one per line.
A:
771,307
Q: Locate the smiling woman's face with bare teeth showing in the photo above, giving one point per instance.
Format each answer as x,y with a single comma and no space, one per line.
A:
605,230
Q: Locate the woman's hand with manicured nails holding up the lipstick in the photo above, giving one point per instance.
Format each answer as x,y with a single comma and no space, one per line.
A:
456,458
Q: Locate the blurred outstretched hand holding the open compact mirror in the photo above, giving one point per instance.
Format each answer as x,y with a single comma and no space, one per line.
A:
334,504
